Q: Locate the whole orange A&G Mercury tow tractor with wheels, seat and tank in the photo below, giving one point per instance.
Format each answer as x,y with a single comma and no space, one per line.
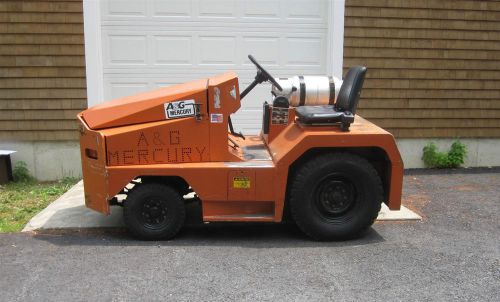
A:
314,159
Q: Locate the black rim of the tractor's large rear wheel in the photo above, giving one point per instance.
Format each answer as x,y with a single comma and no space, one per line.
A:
334,196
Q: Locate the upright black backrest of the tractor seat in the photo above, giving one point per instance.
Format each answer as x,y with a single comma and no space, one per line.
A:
350,90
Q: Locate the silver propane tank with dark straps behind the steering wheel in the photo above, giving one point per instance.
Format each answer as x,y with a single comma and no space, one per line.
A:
309,90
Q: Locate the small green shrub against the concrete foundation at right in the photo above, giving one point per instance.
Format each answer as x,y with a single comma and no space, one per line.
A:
433,158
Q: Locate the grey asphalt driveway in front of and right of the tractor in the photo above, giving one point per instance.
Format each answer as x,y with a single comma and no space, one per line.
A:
453,254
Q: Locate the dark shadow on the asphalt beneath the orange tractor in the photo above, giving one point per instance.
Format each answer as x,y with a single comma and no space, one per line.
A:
246,235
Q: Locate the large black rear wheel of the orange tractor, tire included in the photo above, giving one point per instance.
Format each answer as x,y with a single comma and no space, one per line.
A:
335,196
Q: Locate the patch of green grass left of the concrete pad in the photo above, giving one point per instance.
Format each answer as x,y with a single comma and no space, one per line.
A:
20,201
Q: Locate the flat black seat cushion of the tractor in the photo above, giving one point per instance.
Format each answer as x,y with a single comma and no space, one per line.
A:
322,115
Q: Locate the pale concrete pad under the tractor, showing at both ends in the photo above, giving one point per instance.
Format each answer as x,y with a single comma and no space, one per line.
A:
69,211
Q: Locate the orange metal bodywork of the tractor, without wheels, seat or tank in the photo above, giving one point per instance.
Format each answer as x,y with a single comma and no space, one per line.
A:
245,183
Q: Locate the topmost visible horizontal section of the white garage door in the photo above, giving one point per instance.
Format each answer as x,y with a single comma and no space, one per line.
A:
217,11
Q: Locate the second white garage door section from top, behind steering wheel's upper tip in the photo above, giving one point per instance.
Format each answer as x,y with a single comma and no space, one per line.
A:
290,51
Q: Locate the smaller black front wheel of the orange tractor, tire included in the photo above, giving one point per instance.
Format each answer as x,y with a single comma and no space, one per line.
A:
154,211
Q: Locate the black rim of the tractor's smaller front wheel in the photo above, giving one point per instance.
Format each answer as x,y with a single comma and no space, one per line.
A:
153,214
